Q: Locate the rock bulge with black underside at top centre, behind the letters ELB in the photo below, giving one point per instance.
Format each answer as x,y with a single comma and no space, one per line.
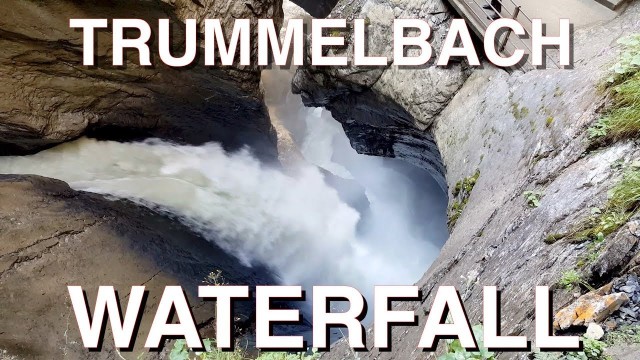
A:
386,111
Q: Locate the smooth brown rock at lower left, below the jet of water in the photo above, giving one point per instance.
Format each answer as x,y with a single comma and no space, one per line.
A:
52,237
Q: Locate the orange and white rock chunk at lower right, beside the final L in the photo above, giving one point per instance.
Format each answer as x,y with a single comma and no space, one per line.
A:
588,309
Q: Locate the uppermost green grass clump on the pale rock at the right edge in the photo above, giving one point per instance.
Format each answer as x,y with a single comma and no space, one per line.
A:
621,119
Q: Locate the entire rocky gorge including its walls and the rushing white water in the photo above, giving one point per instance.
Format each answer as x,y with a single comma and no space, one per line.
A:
486,136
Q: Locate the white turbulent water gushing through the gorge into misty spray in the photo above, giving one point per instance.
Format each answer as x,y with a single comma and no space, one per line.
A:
296,225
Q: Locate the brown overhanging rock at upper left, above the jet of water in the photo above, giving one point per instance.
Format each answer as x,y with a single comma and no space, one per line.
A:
48,96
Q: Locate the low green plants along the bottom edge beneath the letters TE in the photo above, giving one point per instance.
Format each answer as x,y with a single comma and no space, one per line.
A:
181,351
